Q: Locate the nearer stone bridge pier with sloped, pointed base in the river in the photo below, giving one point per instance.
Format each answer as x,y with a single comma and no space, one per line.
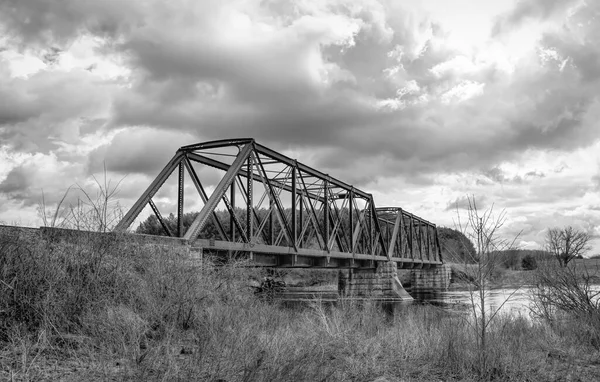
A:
380,283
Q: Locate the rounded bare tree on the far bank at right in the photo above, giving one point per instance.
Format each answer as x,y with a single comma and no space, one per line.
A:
567,243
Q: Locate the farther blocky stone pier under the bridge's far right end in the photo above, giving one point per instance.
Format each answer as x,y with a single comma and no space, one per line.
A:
427,283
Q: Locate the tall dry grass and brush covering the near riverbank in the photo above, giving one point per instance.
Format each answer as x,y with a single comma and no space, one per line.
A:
111,310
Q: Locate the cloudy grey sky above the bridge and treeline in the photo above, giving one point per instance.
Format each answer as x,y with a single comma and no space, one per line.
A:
421,103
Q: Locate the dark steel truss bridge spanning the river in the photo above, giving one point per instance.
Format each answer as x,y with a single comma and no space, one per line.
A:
279,212
